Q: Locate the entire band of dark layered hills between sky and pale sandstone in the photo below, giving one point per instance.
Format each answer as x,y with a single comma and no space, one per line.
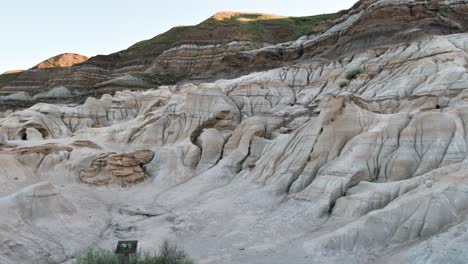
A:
232,44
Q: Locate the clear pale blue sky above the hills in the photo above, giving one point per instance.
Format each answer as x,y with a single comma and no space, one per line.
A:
34,30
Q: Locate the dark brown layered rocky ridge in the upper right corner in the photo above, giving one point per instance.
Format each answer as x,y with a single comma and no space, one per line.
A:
369,24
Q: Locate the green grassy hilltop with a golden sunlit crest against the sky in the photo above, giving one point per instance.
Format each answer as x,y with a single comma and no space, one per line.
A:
237,26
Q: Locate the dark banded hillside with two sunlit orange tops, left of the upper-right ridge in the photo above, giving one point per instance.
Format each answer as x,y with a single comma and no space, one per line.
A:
186,51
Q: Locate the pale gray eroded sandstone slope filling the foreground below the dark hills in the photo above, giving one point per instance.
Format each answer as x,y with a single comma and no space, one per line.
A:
276,166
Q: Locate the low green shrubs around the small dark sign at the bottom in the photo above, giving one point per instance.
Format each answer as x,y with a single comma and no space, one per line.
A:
168,254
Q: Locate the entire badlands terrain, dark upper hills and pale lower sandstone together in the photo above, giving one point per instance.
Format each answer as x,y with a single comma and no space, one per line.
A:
249,138
